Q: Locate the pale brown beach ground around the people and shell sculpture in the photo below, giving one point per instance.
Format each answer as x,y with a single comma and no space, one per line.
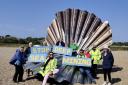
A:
119,72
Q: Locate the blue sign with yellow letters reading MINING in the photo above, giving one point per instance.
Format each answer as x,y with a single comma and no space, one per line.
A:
76,61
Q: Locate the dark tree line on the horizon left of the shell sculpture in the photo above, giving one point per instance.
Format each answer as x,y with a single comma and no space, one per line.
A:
9,40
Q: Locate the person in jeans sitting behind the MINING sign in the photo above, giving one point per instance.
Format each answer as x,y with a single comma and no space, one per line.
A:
85,70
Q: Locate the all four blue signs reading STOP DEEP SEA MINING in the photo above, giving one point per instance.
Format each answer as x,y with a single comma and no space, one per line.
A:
39,54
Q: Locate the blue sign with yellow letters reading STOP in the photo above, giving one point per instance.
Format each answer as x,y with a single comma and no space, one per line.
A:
40,49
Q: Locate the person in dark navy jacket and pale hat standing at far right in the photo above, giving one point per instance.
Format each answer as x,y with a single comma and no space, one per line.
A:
108,61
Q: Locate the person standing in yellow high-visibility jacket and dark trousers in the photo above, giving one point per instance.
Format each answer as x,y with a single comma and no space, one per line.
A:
96,57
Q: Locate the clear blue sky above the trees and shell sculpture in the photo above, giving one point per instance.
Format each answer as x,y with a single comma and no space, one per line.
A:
24,18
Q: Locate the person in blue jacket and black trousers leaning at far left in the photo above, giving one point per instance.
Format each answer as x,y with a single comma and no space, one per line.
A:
18,60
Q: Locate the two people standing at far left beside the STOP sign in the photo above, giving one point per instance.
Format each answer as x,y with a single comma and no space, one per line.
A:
18,60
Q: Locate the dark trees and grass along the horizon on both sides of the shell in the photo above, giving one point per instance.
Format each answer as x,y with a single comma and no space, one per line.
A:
10,41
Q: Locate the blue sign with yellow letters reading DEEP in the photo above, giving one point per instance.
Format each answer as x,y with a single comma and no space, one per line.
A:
62,50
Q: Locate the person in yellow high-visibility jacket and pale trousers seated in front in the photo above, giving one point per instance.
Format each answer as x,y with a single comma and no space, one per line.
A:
49,68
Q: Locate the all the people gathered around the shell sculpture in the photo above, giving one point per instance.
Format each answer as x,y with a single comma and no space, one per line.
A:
50,66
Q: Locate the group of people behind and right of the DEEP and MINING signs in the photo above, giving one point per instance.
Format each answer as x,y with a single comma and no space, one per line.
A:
96,55
